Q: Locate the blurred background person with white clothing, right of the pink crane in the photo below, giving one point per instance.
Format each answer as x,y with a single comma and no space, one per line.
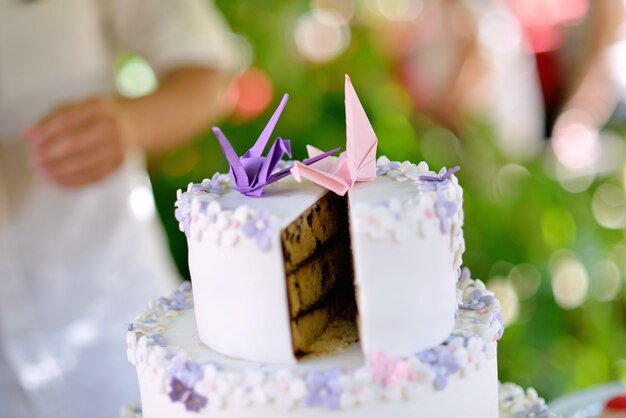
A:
464,60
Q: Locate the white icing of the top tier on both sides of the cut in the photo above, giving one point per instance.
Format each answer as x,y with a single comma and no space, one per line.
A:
395,229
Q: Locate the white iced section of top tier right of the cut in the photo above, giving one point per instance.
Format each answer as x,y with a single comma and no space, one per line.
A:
405,261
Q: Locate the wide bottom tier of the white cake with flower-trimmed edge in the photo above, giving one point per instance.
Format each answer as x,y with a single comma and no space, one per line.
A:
180,377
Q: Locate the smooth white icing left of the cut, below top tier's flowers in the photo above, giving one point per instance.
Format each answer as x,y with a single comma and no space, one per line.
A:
242,311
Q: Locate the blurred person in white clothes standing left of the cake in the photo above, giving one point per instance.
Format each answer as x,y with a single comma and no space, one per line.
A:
76,262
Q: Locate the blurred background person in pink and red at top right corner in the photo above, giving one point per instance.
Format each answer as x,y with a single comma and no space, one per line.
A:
570,41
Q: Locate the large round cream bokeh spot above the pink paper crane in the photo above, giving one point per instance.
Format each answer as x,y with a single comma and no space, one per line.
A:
320,36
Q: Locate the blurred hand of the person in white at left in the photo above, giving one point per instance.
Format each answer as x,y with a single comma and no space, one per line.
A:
79,144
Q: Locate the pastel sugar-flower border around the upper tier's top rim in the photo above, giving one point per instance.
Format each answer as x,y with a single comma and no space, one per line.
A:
438,199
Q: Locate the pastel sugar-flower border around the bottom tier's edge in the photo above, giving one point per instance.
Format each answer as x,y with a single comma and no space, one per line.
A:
211,385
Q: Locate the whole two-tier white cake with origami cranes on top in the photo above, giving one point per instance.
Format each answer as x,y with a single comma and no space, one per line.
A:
284,285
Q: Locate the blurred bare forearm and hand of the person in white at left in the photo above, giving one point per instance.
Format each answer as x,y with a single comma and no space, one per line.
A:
82,143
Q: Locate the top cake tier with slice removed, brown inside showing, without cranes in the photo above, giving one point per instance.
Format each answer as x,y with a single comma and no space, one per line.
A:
270,273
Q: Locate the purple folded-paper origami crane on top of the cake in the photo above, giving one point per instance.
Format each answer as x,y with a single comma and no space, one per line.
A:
252,171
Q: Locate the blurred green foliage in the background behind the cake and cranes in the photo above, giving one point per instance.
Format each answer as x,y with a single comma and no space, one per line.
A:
553,349
